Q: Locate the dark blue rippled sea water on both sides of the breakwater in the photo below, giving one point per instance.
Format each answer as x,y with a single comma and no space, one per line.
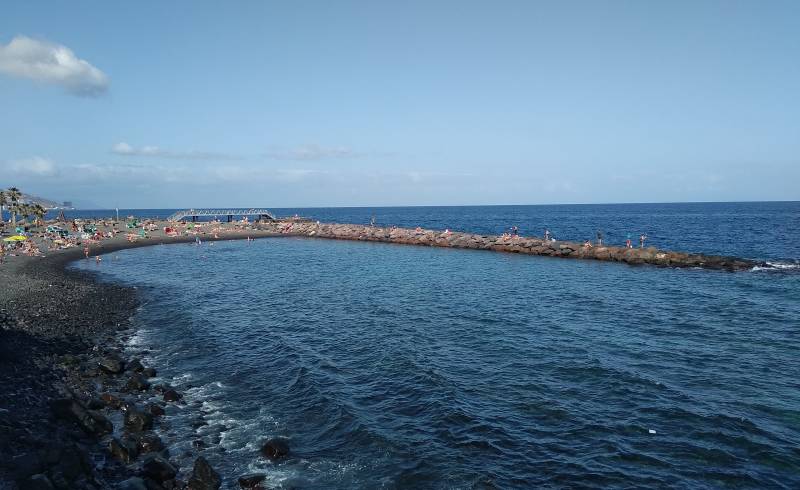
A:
391,366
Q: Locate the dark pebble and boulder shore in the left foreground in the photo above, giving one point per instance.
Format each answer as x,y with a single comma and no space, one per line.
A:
74,412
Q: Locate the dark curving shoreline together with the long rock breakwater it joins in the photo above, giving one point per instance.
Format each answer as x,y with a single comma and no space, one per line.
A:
60,326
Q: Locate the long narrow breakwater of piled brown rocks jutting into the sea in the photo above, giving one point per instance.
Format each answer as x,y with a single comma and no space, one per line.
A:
514,244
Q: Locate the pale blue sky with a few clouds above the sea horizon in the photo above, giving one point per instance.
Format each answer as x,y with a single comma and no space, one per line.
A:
177,104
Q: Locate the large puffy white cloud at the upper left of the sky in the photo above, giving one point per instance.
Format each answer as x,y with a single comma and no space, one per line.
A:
46,62
